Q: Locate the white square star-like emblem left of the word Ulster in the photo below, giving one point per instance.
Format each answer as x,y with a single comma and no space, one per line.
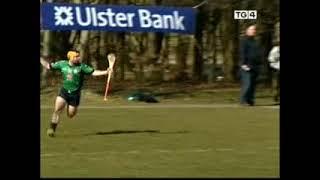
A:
63,16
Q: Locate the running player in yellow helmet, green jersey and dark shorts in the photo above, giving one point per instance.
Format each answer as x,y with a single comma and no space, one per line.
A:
73,72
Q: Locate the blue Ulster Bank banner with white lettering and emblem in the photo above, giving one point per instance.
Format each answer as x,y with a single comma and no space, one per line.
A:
117,18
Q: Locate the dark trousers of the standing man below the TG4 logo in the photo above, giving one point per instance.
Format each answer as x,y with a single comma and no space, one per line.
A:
248,86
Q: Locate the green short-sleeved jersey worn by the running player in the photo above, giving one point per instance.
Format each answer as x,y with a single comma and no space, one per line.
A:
73,76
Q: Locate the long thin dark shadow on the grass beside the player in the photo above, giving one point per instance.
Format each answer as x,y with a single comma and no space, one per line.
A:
133,131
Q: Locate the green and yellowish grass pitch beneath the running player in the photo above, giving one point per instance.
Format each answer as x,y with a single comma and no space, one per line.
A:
160,141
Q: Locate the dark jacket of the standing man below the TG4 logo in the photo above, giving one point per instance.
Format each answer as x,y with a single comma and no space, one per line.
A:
250,53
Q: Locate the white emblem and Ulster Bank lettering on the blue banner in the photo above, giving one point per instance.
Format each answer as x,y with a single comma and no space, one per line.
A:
89,16
